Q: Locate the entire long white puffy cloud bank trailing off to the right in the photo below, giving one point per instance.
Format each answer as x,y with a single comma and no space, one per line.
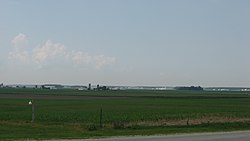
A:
51,50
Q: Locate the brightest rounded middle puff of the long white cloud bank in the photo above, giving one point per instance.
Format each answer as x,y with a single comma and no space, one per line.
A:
48,51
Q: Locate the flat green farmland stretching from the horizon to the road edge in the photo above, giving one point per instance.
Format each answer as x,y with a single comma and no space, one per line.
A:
123,113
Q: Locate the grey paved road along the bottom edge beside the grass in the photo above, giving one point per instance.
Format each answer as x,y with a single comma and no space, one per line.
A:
222,136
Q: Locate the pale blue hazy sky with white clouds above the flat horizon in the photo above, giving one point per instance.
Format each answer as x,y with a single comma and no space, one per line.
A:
125,42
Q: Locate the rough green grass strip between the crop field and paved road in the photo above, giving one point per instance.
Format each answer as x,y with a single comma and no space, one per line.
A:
39,131
